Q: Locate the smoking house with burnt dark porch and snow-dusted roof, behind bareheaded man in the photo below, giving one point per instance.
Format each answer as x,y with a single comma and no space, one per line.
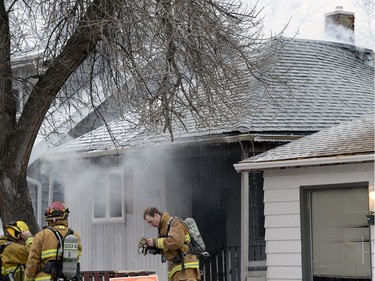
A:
108,180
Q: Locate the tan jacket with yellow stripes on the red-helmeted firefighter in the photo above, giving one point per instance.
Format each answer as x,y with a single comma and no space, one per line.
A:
45,249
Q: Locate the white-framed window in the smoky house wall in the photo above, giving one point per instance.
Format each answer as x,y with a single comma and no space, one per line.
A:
108,198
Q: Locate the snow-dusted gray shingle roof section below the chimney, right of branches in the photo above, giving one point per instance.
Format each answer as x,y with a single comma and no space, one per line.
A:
329,83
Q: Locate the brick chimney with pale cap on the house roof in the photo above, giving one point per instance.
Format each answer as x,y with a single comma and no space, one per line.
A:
339,25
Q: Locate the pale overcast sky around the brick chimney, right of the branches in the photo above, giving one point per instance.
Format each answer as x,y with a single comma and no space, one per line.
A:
307,18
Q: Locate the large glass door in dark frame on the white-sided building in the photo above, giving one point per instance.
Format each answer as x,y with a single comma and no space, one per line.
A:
338,246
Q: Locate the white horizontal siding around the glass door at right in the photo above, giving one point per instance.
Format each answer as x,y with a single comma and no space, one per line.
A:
282,212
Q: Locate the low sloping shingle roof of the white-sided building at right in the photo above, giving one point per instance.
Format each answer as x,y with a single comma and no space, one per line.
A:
348,138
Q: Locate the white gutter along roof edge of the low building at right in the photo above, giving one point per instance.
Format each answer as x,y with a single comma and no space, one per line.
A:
251,166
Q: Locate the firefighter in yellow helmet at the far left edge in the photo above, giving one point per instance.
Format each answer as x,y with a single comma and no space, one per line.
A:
14,249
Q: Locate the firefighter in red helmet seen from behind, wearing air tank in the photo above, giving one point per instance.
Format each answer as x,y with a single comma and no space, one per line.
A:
45,261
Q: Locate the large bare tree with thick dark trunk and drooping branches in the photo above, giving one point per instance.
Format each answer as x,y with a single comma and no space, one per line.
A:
158,59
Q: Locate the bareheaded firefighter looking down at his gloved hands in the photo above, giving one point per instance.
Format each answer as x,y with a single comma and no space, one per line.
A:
173,243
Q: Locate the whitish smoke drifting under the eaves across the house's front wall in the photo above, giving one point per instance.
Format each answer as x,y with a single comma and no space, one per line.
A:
138,176
